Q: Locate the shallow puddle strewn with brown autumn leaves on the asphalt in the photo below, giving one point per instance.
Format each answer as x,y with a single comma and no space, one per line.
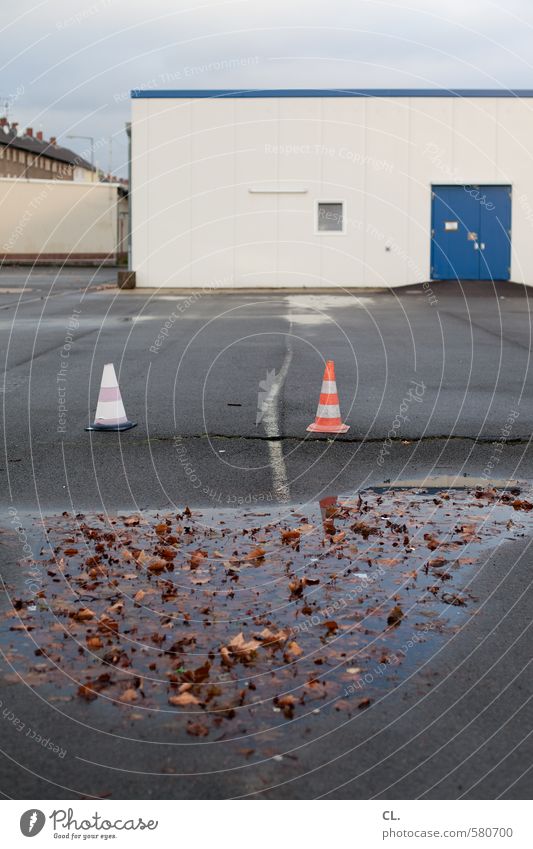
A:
224,621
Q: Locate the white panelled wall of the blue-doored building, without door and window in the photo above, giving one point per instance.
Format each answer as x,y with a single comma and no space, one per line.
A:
196,223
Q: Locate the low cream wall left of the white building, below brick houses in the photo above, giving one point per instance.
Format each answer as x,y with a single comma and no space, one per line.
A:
42,218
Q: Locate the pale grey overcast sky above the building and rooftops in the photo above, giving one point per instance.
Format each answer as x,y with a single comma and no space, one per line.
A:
68,65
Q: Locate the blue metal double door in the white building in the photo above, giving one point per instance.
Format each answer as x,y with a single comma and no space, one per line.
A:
471,236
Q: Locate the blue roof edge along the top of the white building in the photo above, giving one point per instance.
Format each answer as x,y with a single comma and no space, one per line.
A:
332,92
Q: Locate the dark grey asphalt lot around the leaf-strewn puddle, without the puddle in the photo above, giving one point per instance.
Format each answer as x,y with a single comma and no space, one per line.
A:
197,388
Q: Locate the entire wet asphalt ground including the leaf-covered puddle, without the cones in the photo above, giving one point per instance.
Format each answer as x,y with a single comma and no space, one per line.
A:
388,639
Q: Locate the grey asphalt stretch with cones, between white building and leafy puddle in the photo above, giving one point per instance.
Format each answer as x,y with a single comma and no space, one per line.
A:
469,354
